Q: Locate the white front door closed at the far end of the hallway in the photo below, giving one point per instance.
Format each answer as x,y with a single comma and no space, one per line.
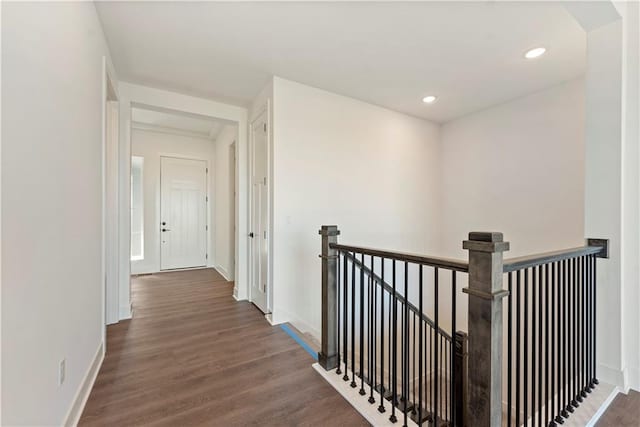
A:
183,213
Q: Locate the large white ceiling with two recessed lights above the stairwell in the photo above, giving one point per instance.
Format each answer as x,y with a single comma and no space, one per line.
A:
391,54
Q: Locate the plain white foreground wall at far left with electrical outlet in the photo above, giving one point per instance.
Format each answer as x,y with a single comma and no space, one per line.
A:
52,302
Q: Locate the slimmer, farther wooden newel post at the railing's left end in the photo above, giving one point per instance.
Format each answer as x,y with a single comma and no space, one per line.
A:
328,356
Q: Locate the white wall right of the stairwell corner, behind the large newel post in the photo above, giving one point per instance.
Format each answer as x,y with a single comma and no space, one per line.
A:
517,168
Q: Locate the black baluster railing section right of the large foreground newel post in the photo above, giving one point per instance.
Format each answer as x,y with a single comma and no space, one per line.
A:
550,335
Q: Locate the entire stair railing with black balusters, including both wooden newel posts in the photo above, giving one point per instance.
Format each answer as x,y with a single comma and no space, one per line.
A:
389,329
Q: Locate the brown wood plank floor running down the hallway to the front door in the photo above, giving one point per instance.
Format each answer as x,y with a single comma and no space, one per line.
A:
192,355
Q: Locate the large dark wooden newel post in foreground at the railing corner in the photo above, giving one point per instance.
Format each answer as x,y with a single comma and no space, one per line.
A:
485,327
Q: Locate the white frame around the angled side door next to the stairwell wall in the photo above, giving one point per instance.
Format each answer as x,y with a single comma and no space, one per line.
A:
269,291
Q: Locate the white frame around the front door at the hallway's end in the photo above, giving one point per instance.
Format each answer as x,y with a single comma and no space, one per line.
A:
209,208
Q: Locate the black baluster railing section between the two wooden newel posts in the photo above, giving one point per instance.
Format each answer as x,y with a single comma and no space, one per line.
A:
388,346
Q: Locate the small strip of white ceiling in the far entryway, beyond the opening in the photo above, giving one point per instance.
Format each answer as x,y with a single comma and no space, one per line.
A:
195,126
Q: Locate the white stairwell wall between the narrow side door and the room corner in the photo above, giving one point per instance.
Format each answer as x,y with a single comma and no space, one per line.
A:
336,160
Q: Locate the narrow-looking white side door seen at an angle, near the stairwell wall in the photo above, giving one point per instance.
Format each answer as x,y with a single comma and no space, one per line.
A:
259,214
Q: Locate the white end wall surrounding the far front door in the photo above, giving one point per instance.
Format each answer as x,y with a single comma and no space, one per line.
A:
151,145
